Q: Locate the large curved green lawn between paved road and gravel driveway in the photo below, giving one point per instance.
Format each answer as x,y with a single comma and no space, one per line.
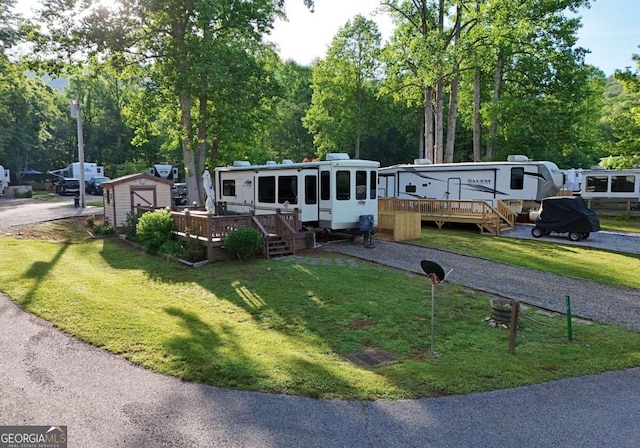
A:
291,327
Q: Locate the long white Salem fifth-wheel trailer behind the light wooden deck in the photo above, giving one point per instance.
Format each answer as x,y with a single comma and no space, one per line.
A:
518,179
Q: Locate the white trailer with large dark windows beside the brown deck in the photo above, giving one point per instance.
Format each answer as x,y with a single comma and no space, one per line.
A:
335,194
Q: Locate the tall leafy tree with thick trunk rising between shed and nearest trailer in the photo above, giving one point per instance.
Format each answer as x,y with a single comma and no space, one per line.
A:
183,40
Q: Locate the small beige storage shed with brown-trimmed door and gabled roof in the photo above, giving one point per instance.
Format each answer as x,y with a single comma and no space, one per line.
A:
125,194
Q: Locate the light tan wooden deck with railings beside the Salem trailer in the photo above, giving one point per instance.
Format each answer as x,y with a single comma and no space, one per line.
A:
488,219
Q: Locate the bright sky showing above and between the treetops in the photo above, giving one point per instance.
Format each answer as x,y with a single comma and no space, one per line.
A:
611,29
